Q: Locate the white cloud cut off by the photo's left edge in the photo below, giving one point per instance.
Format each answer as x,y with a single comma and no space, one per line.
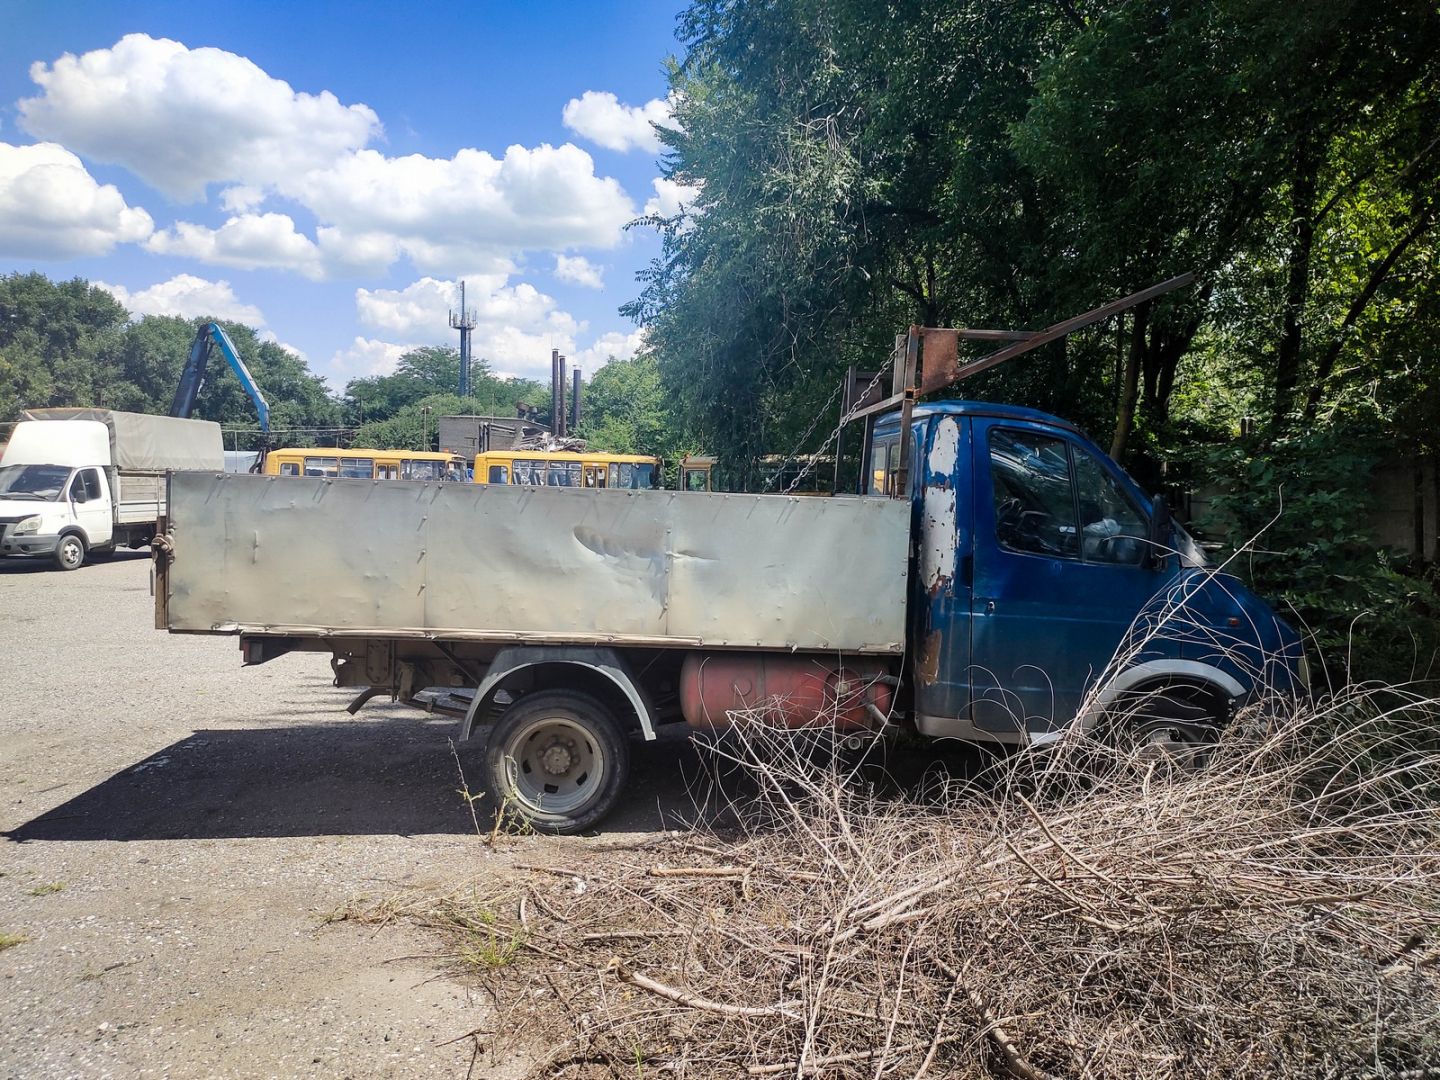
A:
51,208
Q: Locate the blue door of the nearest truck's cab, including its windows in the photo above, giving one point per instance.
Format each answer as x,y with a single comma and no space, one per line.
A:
1059,574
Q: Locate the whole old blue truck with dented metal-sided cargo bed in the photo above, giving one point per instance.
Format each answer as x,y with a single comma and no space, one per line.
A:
999,580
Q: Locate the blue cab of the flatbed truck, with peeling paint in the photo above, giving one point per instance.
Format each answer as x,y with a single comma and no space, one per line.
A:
1046,587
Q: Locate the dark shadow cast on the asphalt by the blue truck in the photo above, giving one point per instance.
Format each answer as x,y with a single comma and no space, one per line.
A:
391,775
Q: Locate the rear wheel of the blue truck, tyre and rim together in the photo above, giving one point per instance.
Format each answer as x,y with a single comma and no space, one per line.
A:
558,762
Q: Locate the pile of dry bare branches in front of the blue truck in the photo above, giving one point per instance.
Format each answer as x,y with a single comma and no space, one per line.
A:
1075,914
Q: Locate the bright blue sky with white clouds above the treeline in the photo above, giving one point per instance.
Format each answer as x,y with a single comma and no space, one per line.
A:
328,172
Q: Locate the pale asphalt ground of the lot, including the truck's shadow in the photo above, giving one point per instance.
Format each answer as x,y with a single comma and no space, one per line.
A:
176,830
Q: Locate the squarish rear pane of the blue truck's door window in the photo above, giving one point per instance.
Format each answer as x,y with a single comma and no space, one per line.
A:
1035,495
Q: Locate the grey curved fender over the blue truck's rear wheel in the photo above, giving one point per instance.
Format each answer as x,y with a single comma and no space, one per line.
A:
598,672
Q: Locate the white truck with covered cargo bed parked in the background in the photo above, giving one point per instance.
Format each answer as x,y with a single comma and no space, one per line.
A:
81,482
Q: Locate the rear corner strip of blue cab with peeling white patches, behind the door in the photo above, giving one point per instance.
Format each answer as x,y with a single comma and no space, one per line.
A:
941,587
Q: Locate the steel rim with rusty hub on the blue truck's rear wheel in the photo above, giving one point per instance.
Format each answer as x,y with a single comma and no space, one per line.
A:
555,765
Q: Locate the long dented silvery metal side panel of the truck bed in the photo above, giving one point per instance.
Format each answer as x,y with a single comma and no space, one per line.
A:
310,557
